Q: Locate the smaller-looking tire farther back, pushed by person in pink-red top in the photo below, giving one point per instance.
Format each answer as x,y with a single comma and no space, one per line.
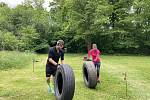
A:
89,74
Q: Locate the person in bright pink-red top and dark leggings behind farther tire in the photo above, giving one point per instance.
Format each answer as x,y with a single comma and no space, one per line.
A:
95,53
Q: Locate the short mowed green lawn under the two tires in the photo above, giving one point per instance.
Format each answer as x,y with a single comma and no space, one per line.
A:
24,84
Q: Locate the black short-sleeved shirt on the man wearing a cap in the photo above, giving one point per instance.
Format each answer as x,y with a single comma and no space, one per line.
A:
54,55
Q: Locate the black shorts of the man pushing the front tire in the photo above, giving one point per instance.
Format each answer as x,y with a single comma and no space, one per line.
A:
50,70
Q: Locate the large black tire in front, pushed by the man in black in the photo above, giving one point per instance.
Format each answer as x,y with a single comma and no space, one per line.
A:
64,83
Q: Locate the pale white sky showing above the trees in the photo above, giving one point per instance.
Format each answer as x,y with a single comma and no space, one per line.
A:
14,3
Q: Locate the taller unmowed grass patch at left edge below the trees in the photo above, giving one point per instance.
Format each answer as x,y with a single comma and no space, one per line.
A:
9,60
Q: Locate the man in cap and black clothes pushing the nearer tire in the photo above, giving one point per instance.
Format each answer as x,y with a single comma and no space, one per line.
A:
52,62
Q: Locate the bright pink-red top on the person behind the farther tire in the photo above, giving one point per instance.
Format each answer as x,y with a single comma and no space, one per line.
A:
95,53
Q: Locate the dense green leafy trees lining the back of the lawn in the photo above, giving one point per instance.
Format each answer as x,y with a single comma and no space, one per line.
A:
116,26
